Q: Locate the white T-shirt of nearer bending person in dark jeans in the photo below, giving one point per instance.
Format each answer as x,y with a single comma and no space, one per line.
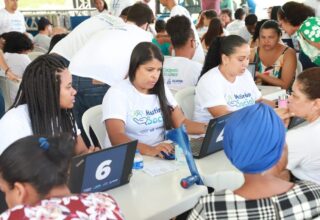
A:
106,56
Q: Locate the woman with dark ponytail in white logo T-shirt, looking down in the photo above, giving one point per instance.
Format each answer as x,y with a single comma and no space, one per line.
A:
225,84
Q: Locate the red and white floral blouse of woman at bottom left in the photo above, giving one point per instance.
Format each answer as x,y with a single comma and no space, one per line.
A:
97,206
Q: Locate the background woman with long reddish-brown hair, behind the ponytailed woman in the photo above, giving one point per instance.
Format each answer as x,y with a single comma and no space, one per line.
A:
215,30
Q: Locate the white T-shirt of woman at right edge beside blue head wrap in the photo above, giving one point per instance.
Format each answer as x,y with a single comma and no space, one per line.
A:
304,151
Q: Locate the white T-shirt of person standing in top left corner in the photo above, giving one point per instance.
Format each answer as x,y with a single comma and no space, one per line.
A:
11,21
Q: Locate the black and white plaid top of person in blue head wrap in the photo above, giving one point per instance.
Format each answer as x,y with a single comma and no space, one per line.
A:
301,202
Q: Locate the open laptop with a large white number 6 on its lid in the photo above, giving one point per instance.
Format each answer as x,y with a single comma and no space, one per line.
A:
102,170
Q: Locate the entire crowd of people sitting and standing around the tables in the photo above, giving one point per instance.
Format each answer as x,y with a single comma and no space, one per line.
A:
115,60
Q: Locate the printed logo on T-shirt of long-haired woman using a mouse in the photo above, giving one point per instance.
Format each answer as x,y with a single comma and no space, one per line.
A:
147,117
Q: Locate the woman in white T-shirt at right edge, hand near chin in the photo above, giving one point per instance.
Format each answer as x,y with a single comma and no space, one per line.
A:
303,142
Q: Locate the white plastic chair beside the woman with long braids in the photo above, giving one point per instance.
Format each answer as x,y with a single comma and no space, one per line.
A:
92,118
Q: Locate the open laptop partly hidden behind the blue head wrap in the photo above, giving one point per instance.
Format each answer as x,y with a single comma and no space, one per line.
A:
213,139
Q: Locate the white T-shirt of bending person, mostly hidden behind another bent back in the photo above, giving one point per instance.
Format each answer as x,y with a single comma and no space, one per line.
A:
74,41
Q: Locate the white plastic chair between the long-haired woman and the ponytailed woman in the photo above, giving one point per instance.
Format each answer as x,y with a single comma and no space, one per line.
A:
185,99
